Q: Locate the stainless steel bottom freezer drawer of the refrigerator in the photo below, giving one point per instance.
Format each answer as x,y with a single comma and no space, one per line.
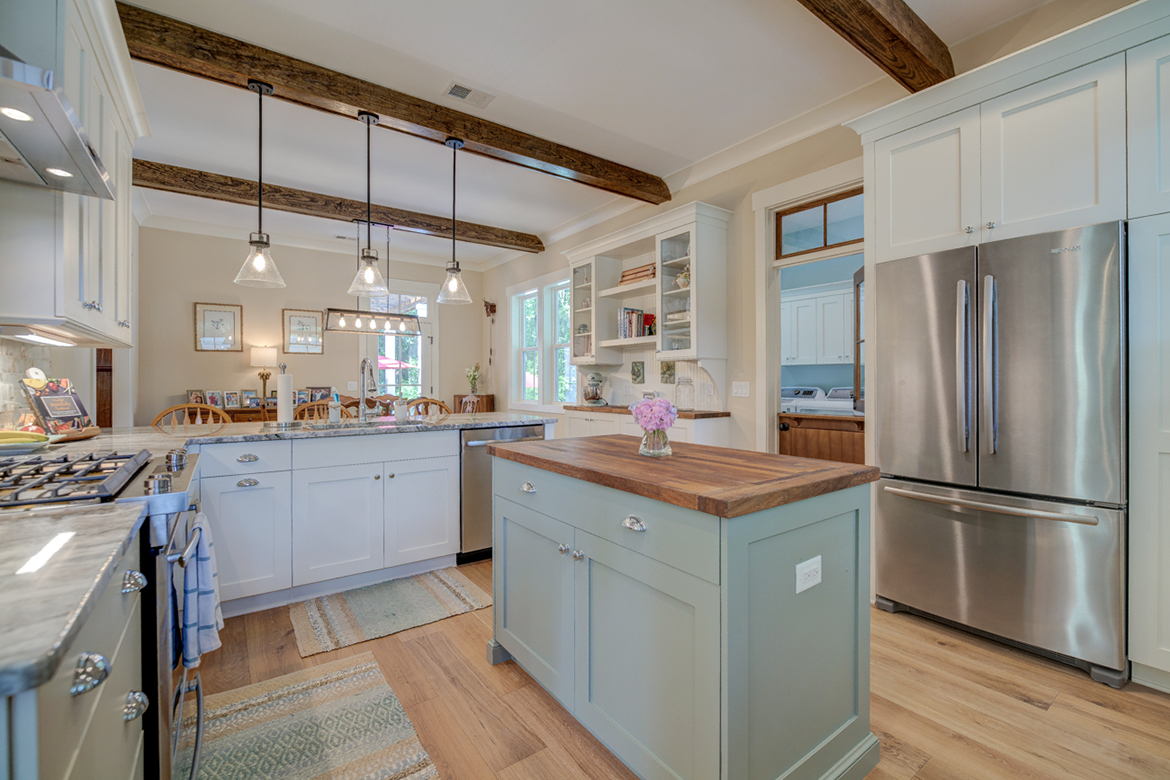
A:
1047,575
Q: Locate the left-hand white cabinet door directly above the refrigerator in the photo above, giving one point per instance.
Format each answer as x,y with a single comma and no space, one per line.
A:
928,188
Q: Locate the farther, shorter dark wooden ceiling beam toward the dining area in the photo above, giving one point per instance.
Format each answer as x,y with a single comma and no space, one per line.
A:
188,182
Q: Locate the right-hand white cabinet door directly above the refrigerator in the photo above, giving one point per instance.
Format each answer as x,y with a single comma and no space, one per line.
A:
1055,154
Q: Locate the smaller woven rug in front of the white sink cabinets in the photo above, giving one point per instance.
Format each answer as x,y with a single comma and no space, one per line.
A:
382,610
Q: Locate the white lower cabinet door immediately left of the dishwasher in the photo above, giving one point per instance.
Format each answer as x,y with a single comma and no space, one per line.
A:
422,509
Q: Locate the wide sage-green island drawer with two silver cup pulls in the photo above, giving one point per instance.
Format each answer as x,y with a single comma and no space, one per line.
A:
678,537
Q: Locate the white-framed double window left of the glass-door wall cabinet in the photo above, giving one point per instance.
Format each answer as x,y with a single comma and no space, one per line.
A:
543,343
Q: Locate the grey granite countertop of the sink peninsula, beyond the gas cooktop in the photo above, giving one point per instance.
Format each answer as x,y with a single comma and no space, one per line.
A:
130,440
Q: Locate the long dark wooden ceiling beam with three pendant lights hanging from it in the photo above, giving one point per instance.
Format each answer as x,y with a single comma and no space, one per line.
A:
171,44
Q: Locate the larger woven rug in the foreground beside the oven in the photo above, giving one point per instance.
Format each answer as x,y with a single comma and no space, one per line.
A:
336,721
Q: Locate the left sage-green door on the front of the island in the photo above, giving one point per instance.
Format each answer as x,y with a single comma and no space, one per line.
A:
534,596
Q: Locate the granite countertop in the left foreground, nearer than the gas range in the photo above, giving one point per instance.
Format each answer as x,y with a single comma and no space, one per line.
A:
42,612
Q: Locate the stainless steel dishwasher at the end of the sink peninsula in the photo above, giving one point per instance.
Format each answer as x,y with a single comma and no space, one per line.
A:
476,531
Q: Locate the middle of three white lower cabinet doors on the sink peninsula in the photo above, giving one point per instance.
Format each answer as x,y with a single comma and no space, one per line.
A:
338,522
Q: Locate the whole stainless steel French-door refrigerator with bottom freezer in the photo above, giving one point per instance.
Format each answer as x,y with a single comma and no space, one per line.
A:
1001,436
